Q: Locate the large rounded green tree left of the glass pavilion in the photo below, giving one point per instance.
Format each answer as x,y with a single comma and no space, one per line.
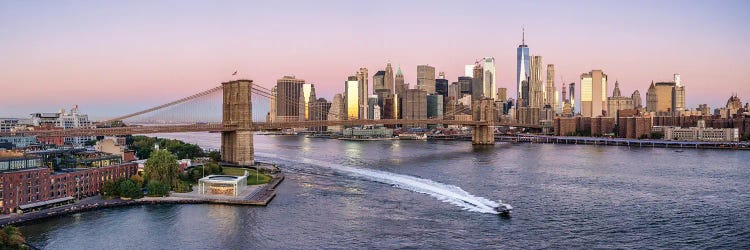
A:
161,166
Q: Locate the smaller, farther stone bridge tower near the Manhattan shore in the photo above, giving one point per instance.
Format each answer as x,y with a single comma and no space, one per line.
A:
483,111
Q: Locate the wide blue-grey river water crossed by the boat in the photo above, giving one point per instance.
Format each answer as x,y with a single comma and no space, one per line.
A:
440,194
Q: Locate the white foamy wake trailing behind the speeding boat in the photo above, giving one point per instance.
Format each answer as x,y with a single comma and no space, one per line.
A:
443,192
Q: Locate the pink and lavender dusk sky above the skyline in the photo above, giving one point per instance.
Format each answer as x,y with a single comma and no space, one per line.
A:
118,57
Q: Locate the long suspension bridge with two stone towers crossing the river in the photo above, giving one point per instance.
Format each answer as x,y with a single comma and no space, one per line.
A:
236,121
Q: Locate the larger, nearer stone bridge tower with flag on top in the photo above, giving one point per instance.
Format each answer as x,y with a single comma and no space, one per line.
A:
237,111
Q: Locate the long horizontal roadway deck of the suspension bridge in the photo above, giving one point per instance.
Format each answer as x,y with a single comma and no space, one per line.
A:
257,126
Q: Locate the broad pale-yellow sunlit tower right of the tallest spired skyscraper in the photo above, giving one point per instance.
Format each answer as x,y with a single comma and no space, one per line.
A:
593,93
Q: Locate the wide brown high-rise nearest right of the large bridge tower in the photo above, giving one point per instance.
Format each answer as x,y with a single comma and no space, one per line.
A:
288,99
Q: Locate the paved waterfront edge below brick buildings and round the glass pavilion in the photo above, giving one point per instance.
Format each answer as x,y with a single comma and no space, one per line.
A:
259,196
